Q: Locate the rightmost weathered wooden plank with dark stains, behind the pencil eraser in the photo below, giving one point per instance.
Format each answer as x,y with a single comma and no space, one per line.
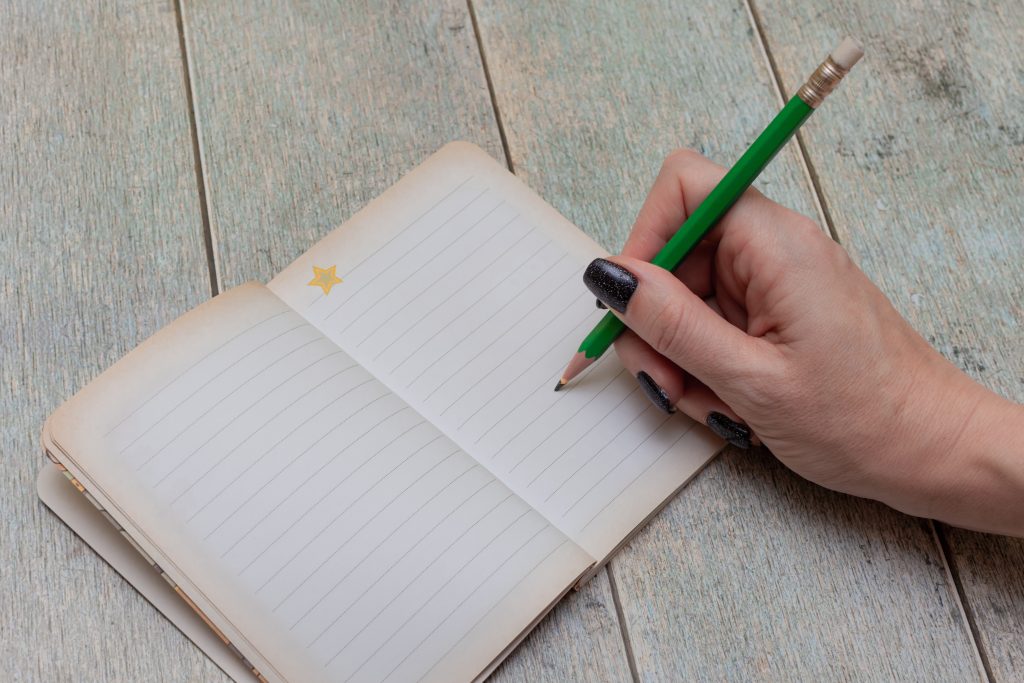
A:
921,170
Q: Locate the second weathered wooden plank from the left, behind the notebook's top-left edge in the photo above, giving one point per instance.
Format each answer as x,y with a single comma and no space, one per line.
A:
309,112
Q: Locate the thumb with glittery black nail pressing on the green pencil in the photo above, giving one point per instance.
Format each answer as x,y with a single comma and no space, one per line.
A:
675,322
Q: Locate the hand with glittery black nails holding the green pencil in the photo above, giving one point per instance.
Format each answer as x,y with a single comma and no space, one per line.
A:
770,332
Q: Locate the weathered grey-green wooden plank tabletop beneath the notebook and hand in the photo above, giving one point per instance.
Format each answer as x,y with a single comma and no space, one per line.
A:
157,153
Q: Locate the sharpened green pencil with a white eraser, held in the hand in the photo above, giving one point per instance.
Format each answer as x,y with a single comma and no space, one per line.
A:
726,194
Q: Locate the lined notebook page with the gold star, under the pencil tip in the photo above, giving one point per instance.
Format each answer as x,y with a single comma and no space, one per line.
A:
463,294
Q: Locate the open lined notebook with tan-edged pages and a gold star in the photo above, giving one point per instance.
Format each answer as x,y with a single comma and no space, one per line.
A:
360,473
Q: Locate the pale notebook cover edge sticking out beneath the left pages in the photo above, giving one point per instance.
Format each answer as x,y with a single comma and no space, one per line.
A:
90,525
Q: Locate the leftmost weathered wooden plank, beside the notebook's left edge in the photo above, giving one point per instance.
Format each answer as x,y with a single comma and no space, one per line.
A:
102,245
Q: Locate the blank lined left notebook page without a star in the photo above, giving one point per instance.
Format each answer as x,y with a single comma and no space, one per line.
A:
342,534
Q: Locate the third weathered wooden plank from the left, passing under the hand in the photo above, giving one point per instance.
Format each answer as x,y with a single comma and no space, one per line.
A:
752,573
